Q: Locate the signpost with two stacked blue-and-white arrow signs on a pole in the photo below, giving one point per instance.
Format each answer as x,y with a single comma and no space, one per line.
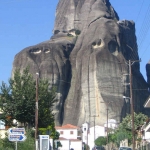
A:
16,135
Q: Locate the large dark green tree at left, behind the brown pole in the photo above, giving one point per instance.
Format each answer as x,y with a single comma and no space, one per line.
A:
17,100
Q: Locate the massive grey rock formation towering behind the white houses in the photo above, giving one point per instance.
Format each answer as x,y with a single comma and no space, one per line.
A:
87,59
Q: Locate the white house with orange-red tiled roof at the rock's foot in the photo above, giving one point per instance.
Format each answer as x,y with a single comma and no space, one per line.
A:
69,137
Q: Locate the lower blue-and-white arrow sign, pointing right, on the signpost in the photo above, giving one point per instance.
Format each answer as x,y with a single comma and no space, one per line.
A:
16,137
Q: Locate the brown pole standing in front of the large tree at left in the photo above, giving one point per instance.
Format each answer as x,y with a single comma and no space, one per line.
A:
36,113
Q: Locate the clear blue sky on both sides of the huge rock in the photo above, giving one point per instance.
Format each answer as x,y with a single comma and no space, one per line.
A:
25,23
